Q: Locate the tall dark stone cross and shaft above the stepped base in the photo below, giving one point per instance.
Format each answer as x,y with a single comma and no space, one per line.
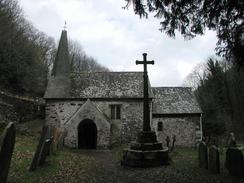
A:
146,104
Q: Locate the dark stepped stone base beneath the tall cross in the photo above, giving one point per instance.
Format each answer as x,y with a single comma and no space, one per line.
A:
146,152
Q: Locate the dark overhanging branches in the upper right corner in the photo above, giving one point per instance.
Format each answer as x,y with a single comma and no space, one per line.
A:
193,17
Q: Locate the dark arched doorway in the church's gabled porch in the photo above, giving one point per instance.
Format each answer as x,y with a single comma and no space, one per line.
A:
87,134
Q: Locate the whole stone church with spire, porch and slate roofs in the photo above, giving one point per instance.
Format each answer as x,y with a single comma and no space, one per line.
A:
102,109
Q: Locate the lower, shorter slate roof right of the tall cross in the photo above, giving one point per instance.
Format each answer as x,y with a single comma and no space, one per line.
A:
174,100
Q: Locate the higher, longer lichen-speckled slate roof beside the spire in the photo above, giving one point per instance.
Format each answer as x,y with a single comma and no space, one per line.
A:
100,85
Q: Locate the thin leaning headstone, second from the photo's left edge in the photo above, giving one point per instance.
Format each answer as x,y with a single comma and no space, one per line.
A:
36,157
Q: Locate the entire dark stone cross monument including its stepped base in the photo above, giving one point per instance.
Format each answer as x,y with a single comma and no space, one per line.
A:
146,151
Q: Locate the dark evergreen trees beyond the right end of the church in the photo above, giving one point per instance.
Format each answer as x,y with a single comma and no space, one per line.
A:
219,94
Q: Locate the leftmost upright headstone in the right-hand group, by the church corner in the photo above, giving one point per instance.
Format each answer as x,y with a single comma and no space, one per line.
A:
203,155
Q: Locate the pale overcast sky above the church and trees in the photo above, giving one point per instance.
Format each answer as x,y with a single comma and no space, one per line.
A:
116,37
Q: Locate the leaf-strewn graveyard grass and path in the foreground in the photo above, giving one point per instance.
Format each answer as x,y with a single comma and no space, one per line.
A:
72,165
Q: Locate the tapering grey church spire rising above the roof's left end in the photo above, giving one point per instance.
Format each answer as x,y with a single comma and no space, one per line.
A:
61,66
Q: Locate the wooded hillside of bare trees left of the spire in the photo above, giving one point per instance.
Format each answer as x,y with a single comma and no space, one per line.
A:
25,53
